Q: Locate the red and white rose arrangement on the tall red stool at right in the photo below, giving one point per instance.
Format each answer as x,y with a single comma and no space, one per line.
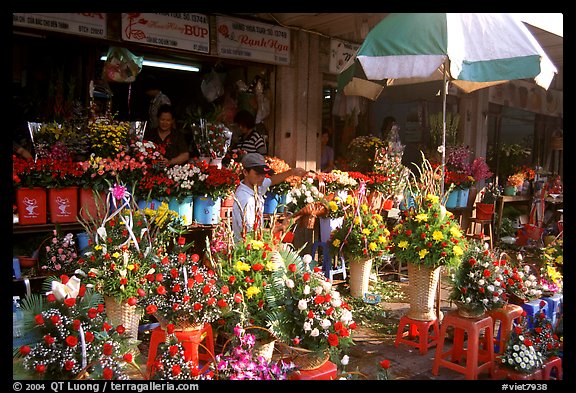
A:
478,282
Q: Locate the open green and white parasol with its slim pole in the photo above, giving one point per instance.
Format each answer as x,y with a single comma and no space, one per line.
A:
472,51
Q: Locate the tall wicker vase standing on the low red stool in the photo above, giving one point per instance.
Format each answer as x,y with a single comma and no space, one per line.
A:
422,286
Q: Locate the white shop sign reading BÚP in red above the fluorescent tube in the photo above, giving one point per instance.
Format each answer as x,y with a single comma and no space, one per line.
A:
178,30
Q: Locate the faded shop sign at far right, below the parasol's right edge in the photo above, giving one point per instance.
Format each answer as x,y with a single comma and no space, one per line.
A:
527,96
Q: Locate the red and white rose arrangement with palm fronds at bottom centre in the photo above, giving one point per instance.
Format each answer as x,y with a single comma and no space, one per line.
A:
306,312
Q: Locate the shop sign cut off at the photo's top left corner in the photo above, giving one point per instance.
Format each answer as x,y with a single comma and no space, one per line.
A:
90,24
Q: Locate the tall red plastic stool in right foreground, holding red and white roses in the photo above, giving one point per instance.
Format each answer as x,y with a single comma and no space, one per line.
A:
477,359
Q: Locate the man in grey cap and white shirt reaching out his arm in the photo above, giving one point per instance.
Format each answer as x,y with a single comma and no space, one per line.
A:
249,196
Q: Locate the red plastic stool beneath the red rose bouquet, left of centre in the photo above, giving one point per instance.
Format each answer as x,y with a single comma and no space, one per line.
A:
190,340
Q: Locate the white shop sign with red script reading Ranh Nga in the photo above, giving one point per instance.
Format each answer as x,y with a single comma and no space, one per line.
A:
248,40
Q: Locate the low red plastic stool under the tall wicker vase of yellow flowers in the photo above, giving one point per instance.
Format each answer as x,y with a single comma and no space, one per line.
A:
418,334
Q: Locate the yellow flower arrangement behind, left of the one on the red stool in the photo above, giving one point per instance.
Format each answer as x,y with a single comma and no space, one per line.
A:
363,232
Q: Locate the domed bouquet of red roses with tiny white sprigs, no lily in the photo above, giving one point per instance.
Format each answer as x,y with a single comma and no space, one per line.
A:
183,292
